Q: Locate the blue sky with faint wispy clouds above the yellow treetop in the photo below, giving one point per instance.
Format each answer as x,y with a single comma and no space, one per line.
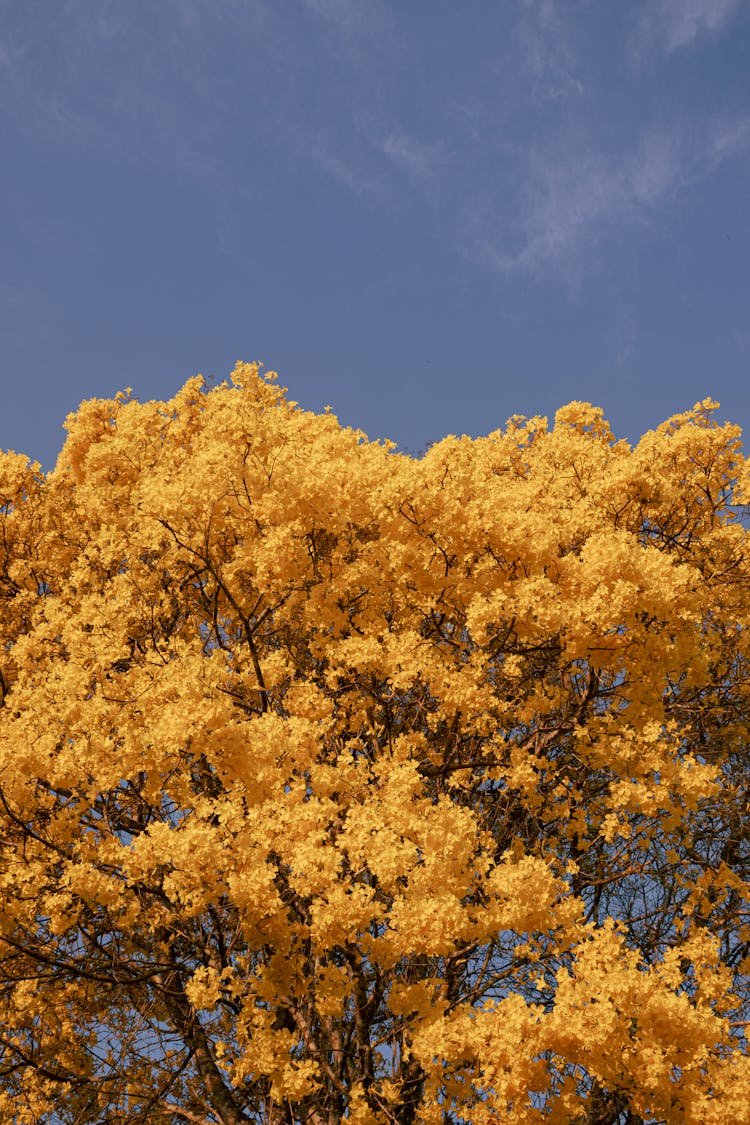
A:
430,215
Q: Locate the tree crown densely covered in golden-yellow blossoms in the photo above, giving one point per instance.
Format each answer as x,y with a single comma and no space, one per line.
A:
340,786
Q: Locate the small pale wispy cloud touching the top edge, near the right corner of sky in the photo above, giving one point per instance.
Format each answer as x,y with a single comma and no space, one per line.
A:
676,25
